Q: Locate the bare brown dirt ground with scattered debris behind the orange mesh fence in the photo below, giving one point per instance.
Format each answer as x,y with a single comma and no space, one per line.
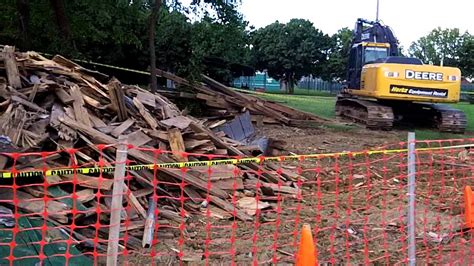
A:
356,207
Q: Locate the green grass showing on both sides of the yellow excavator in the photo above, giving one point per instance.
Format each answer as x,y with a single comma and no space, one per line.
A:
324,106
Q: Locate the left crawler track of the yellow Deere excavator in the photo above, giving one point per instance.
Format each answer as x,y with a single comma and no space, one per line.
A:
369,113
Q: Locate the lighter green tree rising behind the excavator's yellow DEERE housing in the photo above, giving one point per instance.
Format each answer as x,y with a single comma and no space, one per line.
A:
440,45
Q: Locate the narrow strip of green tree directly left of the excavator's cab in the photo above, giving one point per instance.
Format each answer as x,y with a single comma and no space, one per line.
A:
338,55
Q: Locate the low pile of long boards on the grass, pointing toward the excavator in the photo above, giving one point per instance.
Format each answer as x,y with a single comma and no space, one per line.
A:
223,101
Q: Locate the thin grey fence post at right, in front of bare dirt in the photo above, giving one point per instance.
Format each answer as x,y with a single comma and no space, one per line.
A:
411,198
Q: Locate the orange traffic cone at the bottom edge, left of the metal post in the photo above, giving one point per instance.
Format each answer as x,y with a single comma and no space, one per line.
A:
306,255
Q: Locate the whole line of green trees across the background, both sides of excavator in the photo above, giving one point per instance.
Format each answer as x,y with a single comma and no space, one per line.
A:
219,42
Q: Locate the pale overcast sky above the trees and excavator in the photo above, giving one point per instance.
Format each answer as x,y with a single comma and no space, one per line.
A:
409,19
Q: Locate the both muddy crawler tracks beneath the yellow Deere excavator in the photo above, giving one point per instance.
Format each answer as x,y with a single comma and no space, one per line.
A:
383,115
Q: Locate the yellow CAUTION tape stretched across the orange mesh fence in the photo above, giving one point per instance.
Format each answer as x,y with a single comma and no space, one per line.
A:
180,165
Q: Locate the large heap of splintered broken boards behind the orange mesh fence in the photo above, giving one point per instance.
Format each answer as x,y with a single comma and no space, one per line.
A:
55,105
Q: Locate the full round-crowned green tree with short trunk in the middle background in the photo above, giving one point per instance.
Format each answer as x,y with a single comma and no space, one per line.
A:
290,51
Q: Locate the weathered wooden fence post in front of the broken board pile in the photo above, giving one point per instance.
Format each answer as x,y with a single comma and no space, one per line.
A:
117,198
